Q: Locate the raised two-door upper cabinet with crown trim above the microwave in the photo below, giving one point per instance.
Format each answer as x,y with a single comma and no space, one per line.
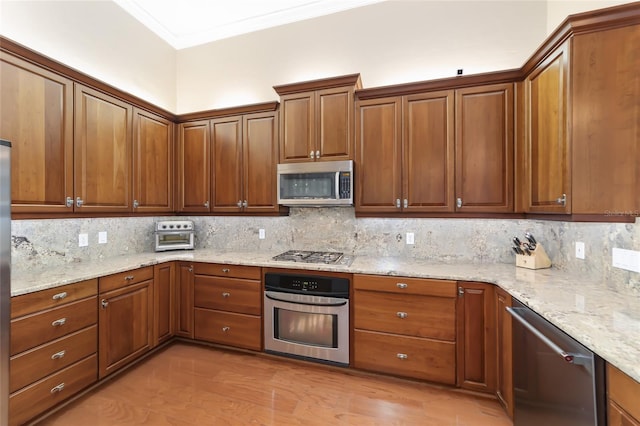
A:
317,119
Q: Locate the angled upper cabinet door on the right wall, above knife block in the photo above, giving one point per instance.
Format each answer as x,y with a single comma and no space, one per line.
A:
547,161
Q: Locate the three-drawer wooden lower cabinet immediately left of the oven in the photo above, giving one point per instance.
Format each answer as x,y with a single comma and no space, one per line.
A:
228,305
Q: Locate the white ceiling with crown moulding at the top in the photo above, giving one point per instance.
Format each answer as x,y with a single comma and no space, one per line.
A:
187,23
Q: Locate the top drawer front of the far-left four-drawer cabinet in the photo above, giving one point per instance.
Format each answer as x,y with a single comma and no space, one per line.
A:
46,299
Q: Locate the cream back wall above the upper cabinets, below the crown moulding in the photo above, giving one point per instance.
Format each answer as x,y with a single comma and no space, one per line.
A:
388,43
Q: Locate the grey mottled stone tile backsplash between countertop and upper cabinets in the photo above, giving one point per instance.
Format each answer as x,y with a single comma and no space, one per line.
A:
50,242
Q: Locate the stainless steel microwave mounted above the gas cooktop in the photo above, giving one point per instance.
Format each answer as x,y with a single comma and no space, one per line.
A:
322,183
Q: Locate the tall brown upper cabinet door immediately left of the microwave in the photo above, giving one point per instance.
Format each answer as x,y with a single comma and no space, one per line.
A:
260,156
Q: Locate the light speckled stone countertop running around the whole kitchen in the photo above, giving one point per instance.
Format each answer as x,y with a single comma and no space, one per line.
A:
603,316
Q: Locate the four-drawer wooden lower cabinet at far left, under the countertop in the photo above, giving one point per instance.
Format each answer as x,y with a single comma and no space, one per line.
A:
54,347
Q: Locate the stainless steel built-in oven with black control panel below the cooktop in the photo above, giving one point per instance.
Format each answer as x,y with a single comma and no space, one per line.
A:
307,316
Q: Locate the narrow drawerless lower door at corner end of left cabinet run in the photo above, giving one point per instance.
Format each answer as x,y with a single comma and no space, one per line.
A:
164,288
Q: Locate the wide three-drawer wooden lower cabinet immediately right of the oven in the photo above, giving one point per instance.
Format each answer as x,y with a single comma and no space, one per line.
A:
405,326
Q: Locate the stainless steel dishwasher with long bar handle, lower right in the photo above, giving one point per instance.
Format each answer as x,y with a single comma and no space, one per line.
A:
557,381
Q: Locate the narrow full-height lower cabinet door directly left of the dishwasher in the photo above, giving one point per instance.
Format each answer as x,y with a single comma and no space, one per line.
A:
504,358
